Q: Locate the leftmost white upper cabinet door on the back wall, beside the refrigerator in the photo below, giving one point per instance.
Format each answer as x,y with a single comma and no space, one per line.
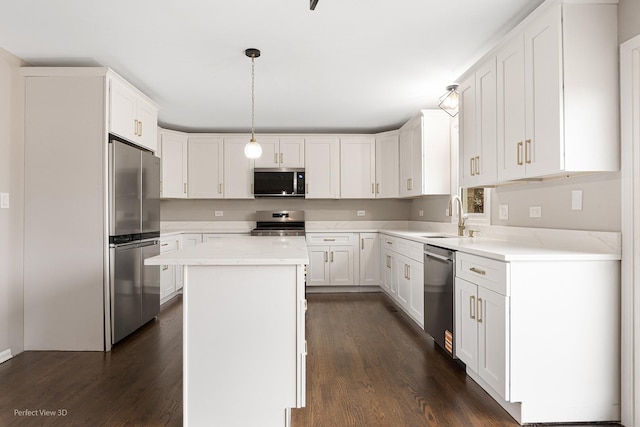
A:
174,165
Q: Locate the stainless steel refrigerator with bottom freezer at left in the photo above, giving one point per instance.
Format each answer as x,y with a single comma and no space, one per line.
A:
134,229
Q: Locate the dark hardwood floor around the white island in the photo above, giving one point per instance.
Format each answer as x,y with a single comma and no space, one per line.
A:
367,366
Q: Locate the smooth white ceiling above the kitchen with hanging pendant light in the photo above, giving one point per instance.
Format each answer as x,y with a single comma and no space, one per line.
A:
348,66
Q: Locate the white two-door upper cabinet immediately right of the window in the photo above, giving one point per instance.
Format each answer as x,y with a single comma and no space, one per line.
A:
477,126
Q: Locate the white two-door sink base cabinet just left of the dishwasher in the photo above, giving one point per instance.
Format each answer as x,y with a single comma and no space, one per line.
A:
403,275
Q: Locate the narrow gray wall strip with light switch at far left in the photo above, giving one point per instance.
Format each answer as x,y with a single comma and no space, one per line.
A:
11,220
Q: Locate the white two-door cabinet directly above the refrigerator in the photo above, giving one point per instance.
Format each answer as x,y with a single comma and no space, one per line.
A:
132,115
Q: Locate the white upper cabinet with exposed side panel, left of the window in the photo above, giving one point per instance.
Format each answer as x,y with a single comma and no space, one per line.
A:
425,154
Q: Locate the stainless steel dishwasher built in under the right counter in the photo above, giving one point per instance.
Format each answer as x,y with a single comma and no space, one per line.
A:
439,270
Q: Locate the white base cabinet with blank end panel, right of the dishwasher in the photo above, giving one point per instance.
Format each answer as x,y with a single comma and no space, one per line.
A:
530,331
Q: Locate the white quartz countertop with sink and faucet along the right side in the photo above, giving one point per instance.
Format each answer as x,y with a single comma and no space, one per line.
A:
502,250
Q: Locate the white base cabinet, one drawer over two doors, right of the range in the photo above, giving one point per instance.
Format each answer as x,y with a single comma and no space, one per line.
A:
332,259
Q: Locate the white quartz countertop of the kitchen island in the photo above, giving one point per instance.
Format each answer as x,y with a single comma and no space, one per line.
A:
244,250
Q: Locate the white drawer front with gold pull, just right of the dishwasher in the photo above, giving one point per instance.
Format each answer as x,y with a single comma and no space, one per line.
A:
485,272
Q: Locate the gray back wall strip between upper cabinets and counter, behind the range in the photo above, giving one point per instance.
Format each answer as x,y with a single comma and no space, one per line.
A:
316,210
